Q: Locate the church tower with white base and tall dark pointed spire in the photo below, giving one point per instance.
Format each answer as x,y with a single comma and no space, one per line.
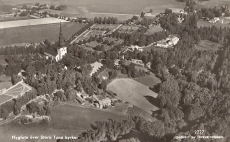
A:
62,49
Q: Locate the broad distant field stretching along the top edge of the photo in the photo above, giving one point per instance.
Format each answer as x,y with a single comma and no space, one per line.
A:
107,6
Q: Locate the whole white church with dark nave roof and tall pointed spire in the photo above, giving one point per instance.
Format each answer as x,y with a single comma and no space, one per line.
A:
57,53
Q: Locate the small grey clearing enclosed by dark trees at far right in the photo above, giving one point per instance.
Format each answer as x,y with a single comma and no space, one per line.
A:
208,45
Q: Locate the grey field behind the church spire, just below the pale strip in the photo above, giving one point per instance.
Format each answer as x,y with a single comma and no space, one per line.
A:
38,33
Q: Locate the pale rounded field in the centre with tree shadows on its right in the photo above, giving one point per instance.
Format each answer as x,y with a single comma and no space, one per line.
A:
134,92
